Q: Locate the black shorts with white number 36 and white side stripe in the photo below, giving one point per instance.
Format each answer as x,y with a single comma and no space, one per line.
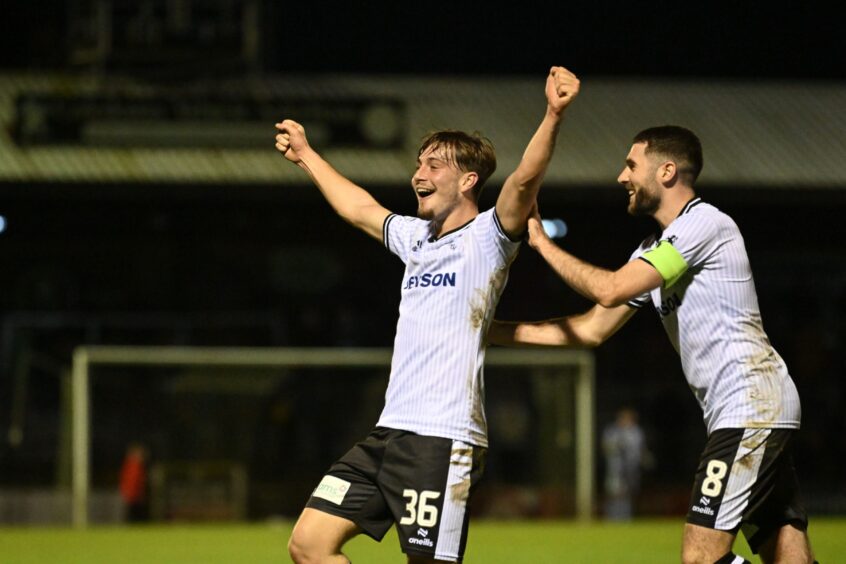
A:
420,483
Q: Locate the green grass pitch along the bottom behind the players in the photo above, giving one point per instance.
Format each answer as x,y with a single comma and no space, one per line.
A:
537,542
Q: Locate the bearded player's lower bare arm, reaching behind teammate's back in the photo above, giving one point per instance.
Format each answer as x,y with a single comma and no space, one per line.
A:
589,329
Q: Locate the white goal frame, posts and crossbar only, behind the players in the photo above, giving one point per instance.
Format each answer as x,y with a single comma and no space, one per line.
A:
577,364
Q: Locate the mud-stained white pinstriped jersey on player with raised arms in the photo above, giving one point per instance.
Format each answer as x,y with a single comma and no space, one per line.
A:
450,289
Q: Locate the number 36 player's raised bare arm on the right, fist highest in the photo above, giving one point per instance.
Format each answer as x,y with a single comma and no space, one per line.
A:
521,188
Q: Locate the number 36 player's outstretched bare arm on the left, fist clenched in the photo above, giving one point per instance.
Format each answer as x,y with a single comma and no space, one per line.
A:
349,200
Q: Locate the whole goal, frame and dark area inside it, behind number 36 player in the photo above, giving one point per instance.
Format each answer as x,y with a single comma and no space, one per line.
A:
239,433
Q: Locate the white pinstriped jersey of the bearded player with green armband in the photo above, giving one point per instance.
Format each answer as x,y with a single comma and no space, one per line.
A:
709,308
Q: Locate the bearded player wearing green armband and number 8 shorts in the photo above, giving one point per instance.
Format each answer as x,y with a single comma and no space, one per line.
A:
696,275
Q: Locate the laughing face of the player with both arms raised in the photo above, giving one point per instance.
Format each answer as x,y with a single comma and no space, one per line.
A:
437,183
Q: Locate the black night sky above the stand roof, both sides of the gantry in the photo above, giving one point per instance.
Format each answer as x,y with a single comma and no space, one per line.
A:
735,41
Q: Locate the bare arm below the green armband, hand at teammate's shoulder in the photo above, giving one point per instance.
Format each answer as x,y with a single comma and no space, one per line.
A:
608,288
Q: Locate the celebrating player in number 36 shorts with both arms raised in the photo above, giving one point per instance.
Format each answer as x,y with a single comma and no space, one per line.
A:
420,464
